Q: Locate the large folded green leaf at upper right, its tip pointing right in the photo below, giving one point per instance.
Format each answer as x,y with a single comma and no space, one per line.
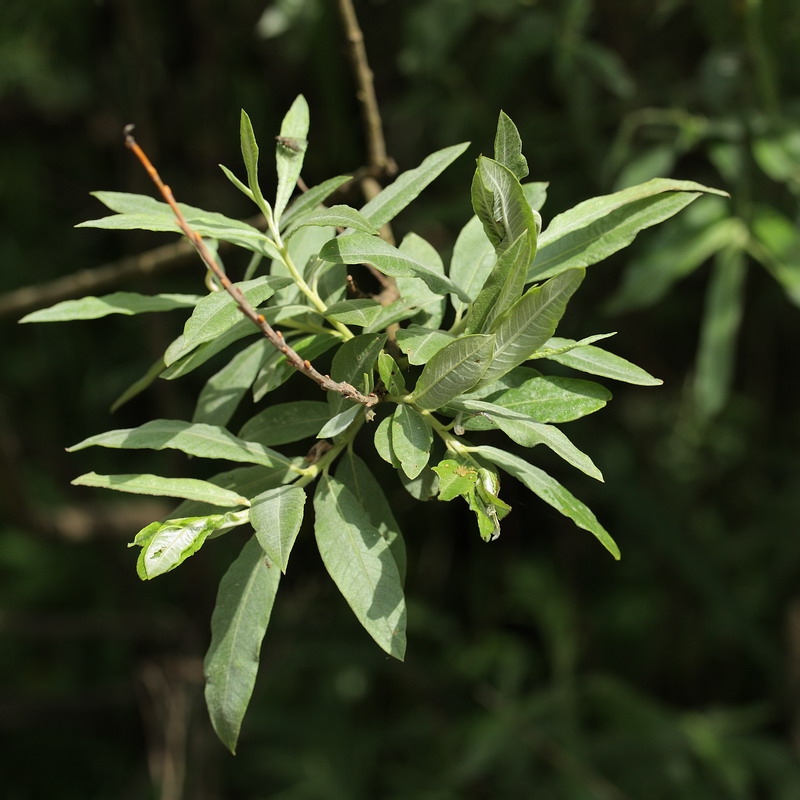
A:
596,228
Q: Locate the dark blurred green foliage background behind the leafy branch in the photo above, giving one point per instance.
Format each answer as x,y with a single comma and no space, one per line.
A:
537,666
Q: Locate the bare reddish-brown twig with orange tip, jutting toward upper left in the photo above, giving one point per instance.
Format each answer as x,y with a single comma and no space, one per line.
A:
275,337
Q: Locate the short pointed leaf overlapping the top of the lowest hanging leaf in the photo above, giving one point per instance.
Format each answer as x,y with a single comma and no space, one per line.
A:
276,515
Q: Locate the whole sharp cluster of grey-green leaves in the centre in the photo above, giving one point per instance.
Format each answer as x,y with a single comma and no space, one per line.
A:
448,360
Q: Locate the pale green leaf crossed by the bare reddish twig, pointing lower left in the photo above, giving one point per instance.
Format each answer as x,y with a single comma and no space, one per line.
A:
217,312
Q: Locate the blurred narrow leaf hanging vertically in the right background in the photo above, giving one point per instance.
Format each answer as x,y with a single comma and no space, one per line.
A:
721,320
